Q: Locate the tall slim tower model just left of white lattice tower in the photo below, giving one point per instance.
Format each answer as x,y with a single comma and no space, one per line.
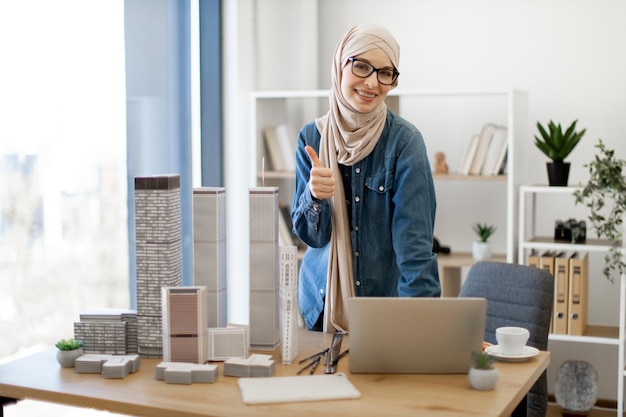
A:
264,268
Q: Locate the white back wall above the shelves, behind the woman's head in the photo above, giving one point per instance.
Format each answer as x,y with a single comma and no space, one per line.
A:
568,54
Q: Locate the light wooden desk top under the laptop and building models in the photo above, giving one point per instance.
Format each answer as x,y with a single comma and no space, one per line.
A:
40,377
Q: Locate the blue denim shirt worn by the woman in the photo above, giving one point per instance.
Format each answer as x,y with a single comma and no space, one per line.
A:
393,216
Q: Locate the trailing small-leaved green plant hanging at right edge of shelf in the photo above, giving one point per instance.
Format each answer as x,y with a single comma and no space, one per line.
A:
605,196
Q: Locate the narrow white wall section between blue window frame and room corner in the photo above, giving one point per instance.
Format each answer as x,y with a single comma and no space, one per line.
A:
263,43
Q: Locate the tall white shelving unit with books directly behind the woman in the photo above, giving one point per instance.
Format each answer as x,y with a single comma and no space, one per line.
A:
446,119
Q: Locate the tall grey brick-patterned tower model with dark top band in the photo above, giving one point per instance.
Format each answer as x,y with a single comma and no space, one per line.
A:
158,231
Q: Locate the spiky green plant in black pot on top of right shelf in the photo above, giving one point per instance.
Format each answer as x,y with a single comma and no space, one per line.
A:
557,145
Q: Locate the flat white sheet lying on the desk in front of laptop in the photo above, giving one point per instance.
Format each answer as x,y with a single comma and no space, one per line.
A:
297,388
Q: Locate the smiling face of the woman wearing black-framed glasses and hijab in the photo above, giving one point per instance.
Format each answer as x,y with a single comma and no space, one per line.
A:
366,94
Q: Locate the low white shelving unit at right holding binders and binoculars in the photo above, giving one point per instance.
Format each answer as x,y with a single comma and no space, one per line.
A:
529,240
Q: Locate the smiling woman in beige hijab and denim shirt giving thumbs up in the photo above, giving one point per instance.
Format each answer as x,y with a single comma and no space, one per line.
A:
364,201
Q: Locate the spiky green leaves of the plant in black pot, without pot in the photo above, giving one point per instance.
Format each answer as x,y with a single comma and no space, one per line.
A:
555,144
